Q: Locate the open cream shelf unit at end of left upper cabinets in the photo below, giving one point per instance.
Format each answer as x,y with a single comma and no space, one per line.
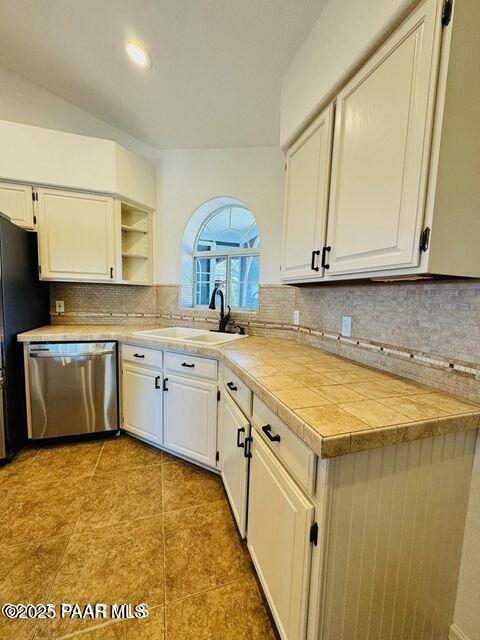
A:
136,240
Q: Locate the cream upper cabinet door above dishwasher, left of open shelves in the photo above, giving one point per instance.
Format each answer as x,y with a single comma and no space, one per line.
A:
76,236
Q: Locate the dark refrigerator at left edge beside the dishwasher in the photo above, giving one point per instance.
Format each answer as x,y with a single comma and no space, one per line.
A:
24,305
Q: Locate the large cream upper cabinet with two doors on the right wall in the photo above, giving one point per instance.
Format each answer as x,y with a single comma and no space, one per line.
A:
402,193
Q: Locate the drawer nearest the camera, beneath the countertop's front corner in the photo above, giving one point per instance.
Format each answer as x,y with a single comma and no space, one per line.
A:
299,459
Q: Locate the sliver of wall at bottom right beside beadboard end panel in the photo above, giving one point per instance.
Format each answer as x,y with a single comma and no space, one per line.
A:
467,608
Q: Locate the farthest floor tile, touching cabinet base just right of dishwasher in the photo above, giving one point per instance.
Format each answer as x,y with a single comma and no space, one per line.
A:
124,452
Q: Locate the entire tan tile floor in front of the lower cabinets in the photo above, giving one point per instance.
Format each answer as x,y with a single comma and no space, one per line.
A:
119,521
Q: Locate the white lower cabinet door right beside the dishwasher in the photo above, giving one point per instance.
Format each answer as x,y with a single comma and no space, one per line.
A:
142,402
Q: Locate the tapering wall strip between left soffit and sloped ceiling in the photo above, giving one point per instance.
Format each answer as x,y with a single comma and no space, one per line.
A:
24,101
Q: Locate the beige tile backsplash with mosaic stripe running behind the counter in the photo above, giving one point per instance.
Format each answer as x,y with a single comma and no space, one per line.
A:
426,331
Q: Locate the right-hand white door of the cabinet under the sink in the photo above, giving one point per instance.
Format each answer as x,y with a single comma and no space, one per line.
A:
190,418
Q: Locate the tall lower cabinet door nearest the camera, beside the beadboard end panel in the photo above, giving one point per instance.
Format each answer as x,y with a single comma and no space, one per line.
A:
278,535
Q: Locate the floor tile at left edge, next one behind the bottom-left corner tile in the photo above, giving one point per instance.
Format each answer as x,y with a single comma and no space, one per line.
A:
35,512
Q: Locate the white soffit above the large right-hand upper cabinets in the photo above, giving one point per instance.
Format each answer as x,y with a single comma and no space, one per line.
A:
343,34
